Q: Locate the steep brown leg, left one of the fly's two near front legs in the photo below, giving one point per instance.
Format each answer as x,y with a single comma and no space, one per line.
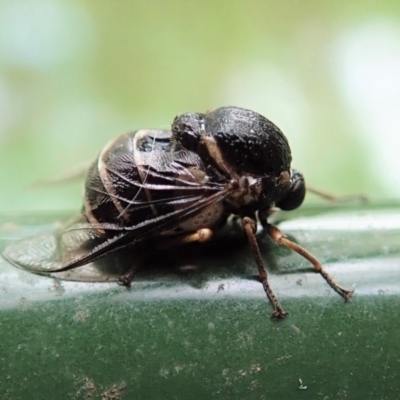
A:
249,226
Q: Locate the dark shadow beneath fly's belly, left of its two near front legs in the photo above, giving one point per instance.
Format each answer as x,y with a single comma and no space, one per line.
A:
224,256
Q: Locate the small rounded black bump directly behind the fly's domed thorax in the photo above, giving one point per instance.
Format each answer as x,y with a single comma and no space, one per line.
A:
187,130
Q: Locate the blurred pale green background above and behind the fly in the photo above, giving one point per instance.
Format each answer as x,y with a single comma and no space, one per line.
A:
74,74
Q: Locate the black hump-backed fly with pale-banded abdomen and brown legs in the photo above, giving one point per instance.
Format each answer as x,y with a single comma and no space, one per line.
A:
154,187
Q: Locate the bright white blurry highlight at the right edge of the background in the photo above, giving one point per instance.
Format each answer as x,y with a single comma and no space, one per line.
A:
367,69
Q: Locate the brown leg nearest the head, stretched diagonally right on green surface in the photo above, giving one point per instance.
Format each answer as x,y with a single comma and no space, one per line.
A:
279,238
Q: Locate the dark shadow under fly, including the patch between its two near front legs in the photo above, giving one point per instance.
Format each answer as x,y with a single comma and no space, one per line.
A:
226,255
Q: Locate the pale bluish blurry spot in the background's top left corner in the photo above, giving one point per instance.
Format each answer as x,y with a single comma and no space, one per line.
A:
41,33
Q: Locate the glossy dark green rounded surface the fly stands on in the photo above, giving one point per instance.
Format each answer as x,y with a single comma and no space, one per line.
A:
201,328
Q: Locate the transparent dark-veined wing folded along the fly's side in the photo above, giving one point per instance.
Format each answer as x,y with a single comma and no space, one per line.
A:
83,244
